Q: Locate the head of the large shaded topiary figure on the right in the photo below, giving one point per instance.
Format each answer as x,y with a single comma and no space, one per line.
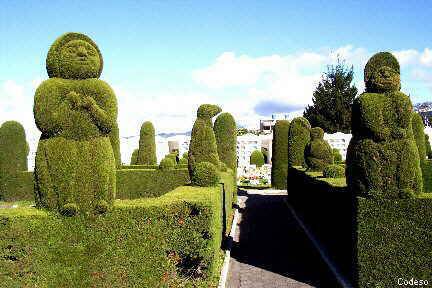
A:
382,73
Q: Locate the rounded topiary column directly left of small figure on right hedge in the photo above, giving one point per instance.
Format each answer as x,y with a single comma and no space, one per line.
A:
298,138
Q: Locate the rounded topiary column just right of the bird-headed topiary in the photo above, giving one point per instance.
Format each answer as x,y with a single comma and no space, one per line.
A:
225,130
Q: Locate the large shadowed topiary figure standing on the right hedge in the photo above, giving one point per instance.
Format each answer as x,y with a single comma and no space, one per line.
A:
382,159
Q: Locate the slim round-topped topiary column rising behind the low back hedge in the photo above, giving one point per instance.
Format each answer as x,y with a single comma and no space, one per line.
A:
147,145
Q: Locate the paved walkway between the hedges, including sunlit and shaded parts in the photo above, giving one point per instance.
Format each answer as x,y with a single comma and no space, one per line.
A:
270,249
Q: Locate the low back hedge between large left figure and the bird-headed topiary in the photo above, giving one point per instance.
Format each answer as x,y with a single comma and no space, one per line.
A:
144,183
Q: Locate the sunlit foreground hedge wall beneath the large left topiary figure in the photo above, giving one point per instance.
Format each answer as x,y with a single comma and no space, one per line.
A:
170,241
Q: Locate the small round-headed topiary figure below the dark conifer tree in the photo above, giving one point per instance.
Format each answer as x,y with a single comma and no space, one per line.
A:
318,152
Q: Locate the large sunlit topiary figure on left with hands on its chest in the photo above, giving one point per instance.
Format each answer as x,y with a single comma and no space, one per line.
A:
76,112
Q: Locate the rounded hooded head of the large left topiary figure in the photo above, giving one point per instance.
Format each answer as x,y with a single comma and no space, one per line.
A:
74,56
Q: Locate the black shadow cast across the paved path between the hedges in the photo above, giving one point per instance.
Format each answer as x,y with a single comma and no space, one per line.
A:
271,239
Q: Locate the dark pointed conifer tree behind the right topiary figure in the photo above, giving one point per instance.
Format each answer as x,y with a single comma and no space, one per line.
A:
332,100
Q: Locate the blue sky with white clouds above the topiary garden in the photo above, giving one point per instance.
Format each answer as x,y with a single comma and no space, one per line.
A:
164,58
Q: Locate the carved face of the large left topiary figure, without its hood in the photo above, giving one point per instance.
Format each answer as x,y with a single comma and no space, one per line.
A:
79,60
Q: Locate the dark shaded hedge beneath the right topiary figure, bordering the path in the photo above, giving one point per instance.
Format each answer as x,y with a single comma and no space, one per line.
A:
373,242
